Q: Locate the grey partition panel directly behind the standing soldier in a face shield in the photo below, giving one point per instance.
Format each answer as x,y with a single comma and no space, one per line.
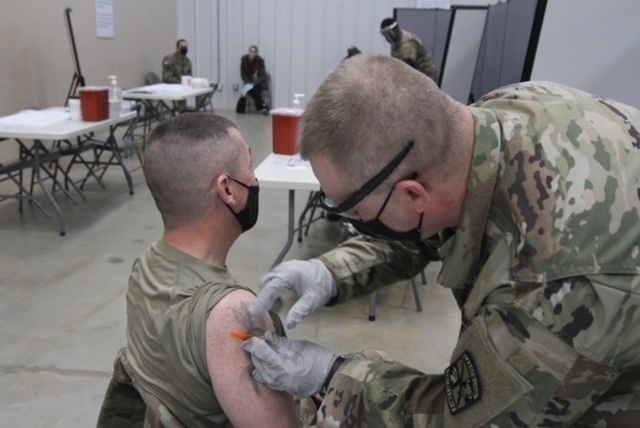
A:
430,25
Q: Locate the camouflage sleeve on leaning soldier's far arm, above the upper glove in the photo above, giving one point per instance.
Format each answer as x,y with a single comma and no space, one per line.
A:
363,264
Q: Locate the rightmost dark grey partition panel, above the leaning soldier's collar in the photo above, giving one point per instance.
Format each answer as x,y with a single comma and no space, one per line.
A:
508,46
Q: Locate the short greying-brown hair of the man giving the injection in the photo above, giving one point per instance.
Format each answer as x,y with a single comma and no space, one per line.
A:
371,107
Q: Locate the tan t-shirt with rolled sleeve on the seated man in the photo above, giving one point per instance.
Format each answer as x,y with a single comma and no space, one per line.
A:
169,298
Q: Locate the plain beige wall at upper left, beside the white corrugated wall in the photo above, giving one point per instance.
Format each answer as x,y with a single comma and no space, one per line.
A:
36,67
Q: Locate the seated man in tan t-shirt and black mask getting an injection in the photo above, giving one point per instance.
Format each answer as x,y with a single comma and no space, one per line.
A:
186,315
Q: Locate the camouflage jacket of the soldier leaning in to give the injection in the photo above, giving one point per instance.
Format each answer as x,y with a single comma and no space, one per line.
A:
545,267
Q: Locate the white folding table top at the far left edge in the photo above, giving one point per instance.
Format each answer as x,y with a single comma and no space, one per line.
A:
61,130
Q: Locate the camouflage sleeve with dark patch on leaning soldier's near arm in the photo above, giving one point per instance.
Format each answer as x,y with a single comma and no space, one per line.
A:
494,380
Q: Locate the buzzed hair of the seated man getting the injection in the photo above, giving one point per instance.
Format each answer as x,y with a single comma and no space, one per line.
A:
182,157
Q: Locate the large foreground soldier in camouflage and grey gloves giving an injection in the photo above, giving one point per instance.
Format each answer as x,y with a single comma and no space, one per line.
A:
530,197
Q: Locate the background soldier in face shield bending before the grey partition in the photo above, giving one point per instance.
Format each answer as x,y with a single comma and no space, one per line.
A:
407,47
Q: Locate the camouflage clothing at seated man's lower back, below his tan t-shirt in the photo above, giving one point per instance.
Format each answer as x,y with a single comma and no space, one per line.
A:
126,405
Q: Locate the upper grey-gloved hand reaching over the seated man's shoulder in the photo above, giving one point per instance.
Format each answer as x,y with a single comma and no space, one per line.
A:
311,280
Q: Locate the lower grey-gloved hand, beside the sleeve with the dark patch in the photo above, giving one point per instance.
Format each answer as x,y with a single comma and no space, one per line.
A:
298,367
